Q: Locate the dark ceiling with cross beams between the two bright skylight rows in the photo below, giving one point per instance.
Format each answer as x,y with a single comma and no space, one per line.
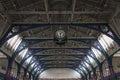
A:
58,13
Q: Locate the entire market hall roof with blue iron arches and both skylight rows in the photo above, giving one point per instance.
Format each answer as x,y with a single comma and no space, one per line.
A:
33,24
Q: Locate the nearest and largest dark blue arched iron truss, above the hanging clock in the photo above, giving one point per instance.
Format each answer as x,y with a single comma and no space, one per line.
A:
100,27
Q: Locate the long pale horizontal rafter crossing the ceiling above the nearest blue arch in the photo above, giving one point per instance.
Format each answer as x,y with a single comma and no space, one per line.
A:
57,12
